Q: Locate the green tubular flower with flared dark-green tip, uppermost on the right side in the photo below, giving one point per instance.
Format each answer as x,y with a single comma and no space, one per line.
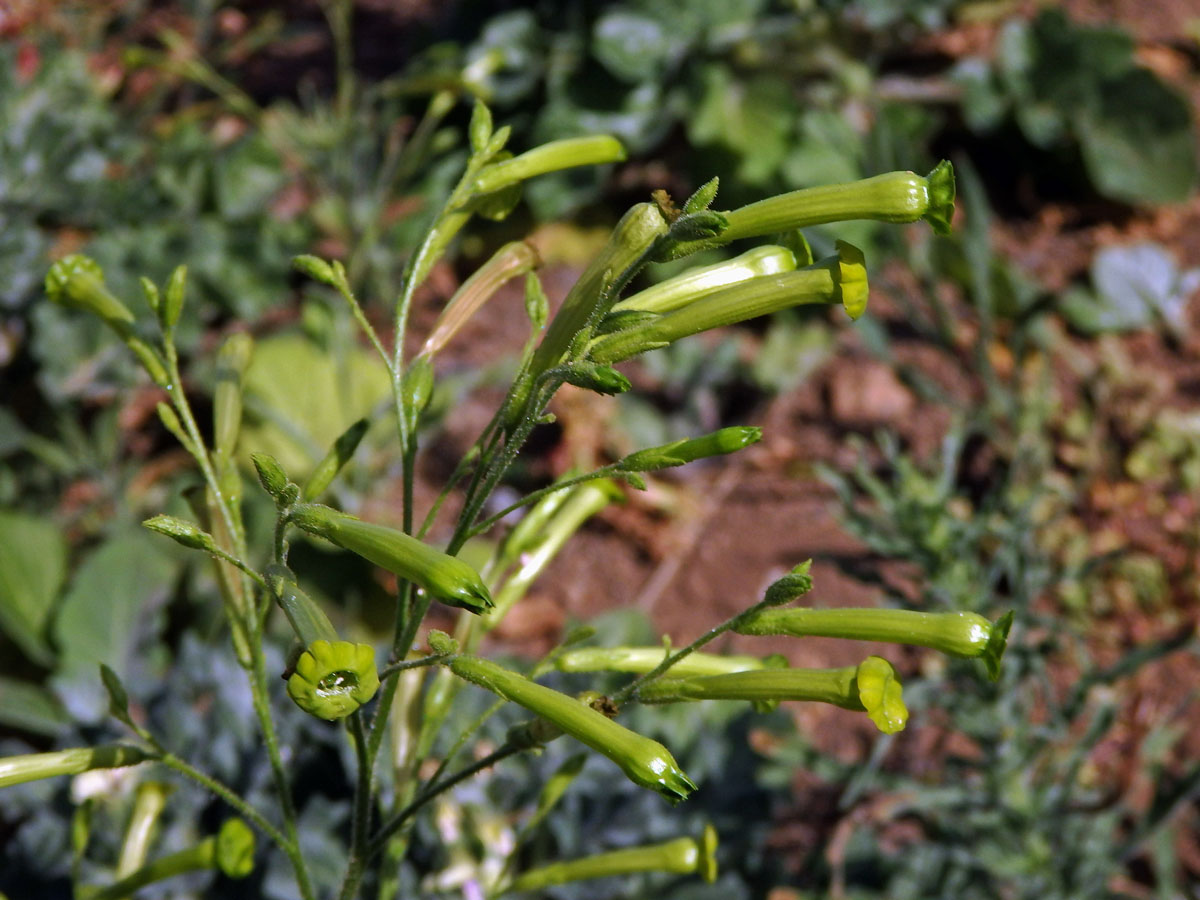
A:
895,197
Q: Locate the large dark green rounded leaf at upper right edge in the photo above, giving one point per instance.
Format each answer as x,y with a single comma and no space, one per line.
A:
1138,143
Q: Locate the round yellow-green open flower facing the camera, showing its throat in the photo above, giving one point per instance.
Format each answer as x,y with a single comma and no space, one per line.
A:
332,680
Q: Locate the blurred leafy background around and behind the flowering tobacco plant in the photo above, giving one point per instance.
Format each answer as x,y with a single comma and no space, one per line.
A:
232,137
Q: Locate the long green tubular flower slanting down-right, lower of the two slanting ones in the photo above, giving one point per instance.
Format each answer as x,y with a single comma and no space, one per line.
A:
646,763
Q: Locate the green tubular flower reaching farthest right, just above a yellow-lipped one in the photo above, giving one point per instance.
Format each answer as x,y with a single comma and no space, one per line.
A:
958,634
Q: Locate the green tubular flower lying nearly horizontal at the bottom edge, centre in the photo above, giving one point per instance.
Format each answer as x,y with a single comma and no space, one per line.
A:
682,856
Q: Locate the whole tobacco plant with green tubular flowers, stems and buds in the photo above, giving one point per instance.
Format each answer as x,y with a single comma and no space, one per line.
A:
398,704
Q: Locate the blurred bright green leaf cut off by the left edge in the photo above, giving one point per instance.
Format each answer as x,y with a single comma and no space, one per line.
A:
33,566
